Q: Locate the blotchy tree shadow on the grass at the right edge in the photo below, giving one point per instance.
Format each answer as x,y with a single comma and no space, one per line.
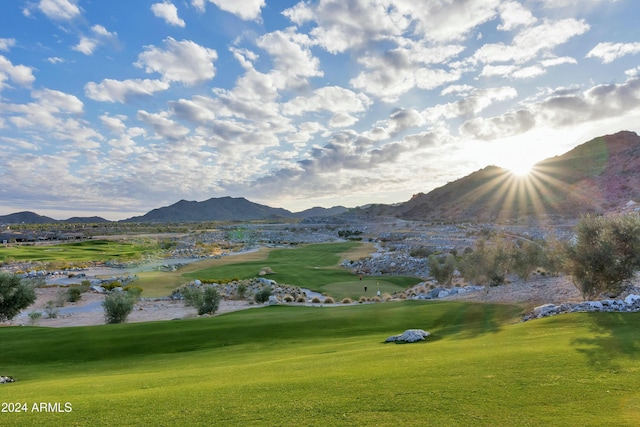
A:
615,336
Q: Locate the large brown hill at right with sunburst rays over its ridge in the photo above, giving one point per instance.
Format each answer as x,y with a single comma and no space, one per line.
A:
599,176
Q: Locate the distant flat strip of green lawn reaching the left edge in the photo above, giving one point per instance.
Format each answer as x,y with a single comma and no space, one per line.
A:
89,250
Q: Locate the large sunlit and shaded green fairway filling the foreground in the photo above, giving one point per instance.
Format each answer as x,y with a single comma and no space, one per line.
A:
328,366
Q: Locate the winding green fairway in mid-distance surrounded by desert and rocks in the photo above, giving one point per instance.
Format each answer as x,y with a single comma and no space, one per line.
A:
313,267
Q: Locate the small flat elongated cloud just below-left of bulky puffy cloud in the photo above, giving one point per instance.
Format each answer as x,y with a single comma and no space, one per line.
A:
123,91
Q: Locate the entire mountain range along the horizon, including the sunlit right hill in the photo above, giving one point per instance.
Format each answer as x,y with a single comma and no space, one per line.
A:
599,176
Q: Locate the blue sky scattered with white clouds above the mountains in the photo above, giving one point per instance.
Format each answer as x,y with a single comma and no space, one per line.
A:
114,108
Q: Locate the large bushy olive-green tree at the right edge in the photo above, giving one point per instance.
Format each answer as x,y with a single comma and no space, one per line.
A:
605,255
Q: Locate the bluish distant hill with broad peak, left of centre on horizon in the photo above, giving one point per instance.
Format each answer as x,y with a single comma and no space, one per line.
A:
214,209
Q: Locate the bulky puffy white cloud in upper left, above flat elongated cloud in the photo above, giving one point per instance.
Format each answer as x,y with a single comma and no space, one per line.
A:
182,61
